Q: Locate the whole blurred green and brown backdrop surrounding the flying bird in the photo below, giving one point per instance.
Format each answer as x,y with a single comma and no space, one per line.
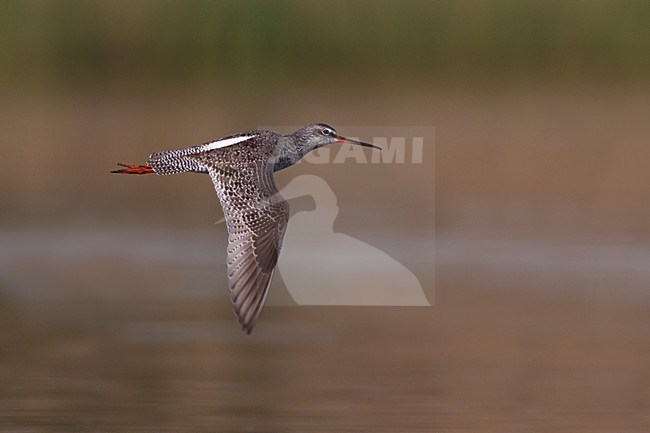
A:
112,296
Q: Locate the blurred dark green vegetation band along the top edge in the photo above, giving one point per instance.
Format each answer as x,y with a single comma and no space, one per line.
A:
267,46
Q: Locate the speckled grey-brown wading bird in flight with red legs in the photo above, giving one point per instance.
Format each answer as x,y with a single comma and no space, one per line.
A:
241,167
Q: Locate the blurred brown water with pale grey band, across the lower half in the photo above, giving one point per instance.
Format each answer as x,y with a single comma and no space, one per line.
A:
525,335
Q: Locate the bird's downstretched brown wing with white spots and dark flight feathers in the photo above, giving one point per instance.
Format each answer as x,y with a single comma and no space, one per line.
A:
256,216
